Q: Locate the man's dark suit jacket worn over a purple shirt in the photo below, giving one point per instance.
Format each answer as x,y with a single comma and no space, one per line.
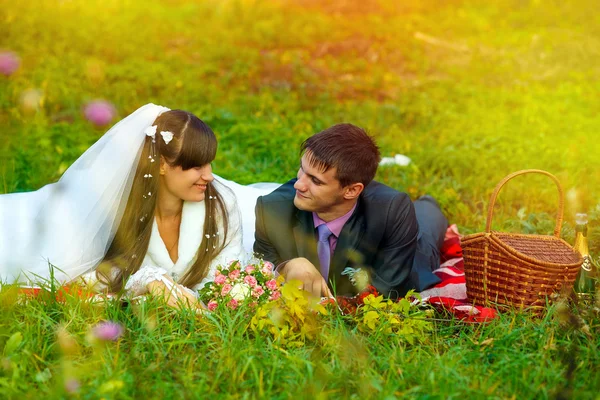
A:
380,237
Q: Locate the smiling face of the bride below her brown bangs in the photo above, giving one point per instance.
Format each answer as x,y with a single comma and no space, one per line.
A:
188,185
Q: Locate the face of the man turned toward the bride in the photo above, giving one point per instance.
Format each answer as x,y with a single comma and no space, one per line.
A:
317,191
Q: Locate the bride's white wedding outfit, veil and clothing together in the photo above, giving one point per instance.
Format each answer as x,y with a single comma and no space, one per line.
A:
70,224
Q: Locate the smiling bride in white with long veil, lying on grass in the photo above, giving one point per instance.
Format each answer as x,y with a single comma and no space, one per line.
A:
140,210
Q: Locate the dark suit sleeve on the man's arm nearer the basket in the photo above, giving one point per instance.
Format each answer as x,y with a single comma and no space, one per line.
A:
391,273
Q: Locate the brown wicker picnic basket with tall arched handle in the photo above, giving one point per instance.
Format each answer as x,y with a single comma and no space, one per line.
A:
518,269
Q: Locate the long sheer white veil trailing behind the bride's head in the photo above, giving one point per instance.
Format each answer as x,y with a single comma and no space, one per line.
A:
71,223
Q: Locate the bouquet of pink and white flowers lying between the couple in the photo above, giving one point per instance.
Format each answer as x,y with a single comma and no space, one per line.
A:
234,285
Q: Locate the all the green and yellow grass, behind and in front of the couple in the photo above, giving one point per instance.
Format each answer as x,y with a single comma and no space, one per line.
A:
470,90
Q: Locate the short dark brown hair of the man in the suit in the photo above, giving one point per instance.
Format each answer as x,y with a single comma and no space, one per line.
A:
347,148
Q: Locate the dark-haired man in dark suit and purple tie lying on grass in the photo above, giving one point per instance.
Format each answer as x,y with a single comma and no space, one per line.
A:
336,229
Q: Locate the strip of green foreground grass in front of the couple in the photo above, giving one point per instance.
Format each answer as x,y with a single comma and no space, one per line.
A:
180,355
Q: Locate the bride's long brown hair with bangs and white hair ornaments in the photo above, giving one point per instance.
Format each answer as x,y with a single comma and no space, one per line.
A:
194,144
